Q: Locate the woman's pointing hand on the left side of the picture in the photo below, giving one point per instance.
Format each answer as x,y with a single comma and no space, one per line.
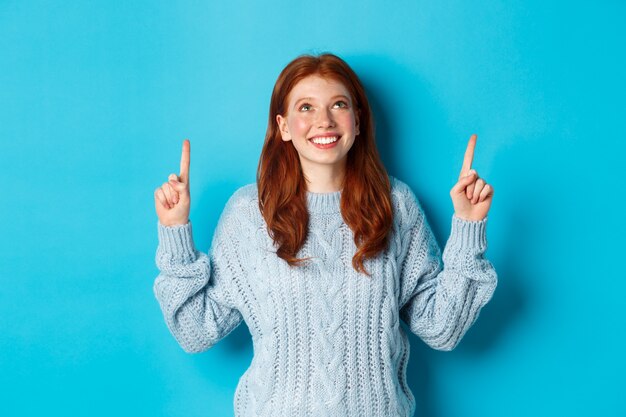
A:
172,199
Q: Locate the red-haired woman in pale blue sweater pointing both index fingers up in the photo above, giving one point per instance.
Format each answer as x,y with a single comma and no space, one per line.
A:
322,257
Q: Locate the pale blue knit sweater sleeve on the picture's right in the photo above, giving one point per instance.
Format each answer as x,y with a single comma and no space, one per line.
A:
443,296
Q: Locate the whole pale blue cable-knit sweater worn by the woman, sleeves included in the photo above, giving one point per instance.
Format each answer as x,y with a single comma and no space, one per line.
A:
327,340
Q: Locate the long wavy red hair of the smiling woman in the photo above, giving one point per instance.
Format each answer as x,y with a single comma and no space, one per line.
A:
366,191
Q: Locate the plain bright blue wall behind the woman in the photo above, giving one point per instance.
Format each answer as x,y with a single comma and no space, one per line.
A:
97,97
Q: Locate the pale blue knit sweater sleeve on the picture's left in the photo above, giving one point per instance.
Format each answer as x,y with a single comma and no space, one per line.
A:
194,289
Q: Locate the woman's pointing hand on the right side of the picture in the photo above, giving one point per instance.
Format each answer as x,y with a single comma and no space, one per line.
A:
471,195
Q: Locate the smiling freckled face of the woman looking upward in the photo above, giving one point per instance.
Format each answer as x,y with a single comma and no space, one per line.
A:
320,122
